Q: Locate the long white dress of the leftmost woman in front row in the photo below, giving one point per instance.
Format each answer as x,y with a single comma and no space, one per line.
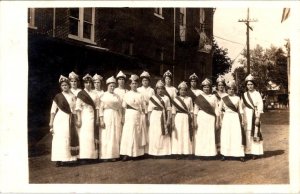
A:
61,150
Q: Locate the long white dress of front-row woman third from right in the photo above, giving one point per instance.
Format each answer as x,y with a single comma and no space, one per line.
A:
205,144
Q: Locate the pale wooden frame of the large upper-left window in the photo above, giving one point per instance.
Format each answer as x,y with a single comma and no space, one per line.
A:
81,21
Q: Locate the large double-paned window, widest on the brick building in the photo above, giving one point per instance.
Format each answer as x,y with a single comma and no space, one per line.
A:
82,24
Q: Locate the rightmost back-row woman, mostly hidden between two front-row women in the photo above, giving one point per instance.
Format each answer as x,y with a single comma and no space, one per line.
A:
220,93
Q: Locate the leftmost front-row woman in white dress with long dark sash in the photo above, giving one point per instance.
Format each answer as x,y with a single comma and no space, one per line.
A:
62,125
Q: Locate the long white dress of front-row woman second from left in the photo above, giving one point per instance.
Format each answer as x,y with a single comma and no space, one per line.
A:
87,148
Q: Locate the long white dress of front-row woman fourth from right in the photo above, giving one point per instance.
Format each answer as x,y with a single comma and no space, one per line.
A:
181,143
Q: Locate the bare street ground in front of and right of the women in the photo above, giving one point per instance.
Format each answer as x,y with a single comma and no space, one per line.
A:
271,169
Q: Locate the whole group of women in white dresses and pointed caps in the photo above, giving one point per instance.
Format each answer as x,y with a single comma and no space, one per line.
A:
89,124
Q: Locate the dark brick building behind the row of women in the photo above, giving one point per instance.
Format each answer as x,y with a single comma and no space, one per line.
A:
106,40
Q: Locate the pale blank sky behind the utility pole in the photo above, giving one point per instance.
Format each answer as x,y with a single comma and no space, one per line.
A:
267,31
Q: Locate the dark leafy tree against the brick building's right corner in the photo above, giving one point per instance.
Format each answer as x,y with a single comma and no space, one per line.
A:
221,62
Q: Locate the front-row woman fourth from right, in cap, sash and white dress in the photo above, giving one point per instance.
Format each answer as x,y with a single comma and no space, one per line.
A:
183,132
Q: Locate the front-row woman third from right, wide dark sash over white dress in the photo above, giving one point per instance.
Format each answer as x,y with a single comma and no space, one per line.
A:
206,112
